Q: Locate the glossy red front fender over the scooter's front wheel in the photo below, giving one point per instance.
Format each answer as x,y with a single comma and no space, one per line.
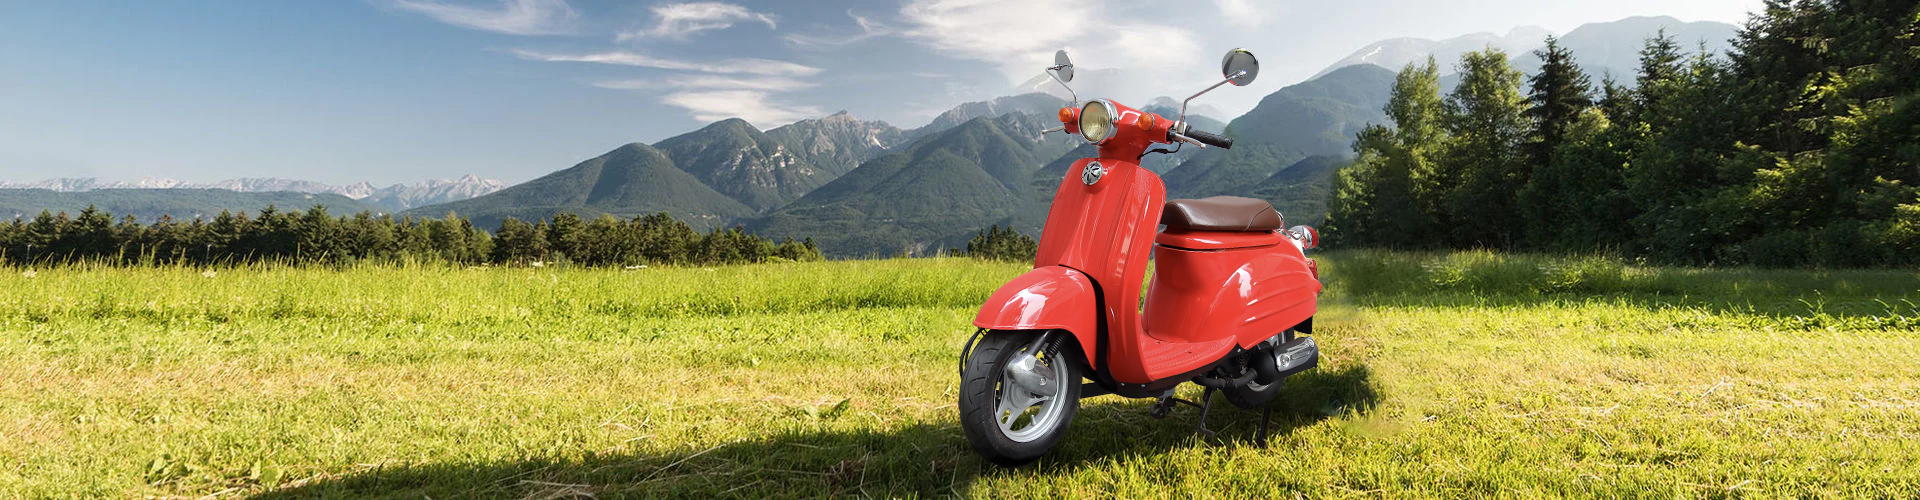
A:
1045,299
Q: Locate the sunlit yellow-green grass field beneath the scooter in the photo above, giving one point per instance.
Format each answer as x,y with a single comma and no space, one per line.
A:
1443,376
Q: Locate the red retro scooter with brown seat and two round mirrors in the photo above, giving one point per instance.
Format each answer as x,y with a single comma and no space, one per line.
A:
1230,299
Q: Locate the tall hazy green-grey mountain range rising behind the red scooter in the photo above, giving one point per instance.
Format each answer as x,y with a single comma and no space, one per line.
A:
875,189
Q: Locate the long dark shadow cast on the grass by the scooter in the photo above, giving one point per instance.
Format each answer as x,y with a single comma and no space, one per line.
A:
917,461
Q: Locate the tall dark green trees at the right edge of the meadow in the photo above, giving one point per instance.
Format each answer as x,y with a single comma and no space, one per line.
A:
1800,147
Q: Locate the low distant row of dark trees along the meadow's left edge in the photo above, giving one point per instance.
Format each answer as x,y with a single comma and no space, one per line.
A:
320,237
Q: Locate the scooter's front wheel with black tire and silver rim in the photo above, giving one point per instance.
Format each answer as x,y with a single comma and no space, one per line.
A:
997,434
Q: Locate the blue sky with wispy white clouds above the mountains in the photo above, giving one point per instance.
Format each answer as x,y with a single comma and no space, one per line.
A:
398,91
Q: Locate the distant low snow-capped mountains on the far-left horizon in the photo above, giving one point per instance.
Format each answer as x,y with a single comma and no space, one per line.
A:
366,195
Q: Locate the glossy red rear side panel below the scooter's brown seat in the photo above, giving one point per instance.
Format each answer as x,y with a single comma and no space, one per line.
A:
1230,295
